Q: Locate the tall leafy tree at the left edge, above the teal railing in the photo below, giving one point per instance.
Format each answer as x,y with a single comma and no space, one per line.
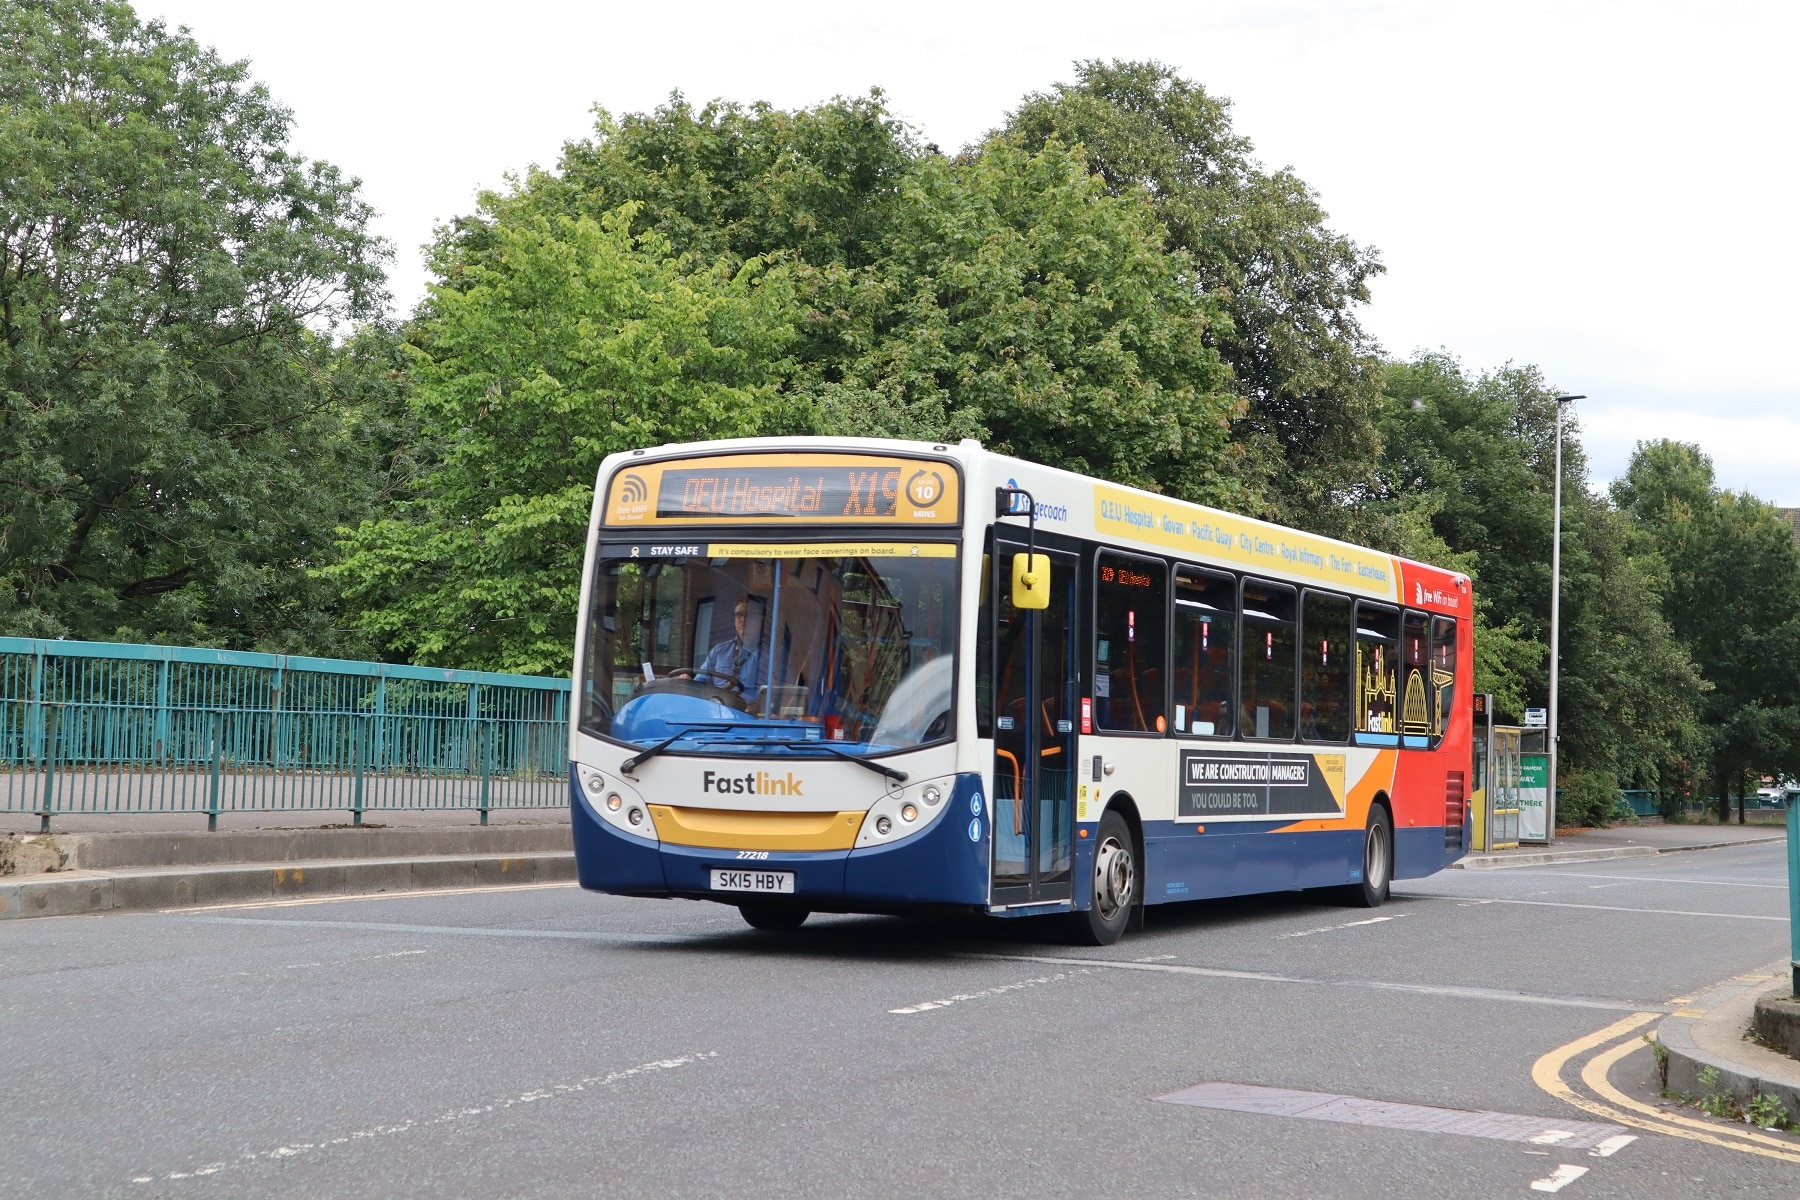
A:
177,431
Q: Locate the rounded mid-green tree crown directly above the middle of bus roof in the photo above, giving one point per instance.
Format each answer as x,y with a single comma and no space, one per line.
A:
1018,303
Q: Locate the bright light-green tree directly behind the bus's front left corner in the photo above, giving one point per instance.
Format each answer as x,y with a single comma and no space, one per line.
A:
555,343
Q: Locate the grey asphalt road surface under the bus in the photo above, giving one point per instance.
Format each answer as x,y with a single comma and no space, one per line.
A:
548,1043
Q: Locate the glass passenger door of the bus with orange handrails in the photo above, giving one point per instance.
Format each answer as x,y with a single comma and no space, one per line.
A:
1034,735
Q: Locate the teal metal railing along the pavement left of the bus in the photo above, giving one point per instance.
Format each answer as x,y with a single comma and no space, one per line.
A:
100,728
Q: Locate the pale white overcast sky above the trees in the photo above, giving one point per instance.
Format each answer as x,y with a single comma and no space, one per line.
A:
1605,190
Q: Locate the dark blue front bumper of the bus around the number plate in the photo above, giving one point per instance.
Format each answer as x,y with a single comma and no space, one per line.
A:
944,864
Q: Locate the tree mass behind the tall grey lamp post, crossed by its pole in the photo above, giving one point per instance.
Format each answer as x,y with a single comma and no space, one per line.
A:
1484,452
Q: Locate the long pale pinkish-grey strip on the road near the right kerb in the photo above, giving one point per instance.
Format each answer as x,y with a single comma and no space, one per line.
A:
1500,1127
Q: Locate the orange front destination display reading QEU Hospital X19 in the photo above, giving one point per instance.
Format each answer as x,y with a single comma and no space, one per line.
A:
786,490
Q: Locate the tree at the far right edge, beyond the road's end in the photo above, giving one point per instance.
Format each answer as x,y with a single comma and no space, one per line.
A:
1734,600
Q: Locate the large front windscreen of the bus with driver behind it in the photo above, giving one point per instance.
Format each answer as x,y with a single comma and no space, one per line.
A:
796,643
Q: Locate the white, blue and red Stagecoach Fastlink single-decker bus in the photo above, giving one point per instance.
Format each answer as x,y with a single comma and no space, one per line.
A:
856,676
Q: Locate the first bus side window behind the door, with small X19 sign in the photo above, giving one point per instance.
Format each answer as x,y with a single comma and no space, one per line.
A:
1131,600
